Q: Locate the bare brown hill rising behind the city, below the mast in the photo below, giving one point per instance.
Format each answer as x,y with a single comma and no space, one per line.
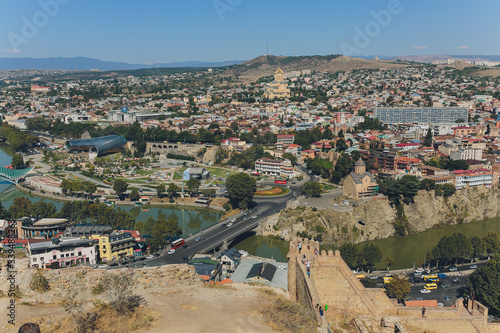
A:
266,65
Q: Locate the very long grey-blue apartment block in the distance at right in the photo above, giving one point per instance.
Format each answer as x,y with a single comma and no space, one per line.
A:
410,115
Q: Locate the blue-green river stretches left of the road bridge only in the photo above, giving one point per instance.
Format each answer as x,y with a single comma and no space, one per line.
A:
191,219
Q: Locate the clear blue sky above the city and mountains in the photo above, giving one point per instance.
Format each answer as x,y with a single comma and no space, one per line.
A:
152,31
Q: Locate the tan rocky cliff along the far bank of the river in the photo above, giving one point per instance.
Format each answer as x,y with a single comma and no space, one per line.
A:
374,219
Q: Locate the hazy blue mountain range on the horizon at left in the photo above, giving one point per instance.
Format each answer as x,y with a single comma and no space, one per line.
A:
85,64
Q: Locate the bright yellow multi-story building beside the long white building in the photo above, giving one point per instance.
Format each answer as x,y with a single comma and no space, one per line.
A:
115,245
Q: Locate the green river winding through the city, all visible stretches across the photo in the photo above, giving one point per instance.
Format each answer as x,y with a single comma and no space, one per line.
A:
405,251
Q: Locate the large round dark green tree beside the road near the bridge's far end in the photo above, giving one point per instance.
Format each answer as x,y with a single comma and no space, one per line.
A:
241,189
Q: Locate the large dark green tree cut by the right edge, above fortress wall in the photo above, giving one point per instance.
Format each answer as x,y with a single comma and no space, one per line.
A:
484,282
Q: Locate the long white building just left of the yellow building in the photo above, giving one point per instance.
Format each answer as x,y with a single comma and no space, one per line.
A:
62,252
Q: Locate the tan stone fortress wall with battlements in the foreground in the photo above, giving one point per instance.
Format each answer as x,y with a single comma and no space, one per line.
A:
333,283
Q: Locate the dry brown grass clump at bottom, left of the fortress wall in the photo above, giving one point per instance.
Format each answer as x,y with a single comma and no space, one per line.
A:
285,315
